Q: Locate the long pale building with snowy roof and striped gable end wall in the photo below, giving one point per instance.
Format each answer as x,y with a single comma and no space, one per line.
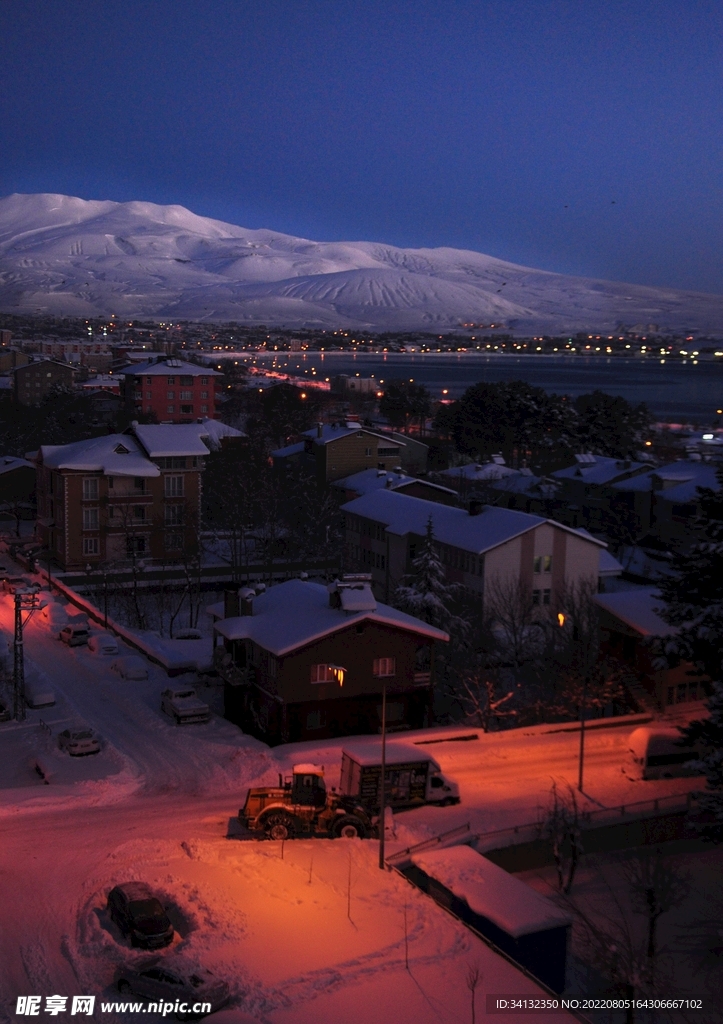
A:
481,547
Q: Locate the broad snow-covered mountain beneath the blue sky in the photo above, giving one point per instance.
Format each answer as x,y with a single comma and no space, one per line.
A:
70,257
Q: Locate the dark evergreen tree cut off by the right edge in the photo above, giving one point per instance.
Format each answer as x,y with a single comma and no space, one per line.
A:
694,599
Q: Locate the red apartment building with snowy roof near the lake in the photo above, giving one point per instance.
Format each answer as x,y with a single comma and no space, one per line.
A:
174,391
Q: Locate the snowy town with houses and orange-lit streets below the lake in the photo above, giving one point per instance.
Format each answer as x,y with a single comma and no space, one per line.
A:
353,704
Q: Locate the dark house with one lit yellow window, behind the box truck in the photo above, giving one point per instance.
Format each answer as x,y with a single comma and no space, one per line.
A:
303,661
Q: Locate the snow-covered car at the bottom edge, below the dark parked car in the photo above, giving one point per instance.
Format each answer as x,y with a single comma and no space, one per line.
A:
164,982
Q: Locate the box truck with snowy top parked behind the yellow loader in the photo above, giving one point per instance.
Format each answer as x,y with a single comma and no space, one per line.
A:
413,778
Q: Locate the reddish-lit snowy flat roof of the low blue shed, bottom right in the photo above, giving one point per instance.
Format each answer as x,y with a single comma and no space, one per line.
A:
491,892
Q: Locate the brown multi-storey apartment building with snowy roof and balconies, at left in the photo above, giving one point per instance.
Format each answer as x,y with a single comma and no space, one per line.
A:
122,497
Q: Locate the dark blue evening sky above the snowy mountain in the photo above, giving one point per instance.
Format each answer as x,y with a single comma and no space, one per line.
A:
509,127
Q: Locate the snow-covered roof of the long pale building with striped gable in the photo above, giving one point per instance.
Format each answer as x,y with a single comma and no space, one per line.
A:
403,515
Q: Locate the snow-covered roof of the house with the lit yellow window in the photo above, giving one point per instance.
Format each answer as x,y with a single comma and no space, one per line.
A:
295,614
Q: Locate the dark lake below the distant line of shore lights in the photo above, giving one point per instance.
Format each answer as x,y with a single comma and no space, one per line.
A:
673,391
